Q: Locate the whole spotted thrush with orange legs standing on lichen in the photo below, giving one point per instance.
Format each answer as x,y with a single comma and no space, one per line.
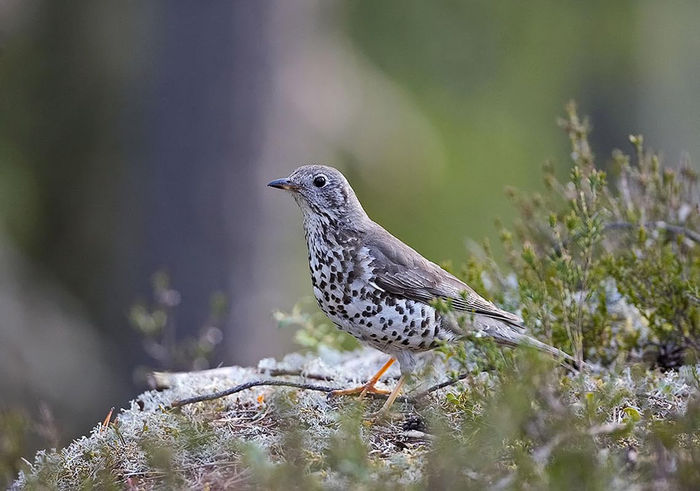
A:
373,286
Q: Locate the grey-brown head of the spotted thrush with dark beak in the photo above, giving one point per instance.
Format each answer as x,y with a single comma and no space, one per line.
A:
322,190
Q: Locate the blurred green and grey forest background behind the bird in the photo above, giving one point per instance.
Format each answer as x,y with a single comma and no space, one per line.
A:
139,136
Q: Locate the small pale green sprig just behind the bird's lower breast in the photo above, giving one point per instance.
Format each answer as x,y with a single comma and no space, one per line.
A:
314,328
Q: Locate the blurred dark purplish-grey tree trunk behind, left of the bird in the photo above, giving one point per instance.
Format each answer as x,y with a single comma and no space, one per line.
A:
202,138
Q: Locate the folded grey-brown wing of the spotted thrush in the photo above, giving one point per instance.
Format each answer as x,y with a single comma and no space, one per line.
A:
400,270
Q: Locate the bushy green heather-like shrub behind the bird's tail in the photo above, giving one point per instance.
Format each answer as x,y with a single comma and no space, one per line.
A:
606,272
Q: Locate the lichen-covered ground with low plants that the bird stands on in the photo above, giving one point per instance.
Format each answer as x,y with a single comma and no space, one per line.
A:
495,425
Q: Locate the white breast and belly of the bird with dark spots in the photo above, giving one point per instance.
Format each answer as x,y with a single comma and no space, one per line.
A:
347,293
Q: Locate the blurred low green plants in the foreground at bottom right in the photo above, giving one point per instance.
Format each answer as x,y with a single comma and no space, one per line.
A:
521,427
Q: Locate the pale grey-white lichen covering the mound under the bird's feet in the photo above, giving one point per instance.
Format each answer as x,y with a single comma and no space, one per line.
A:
205,441
